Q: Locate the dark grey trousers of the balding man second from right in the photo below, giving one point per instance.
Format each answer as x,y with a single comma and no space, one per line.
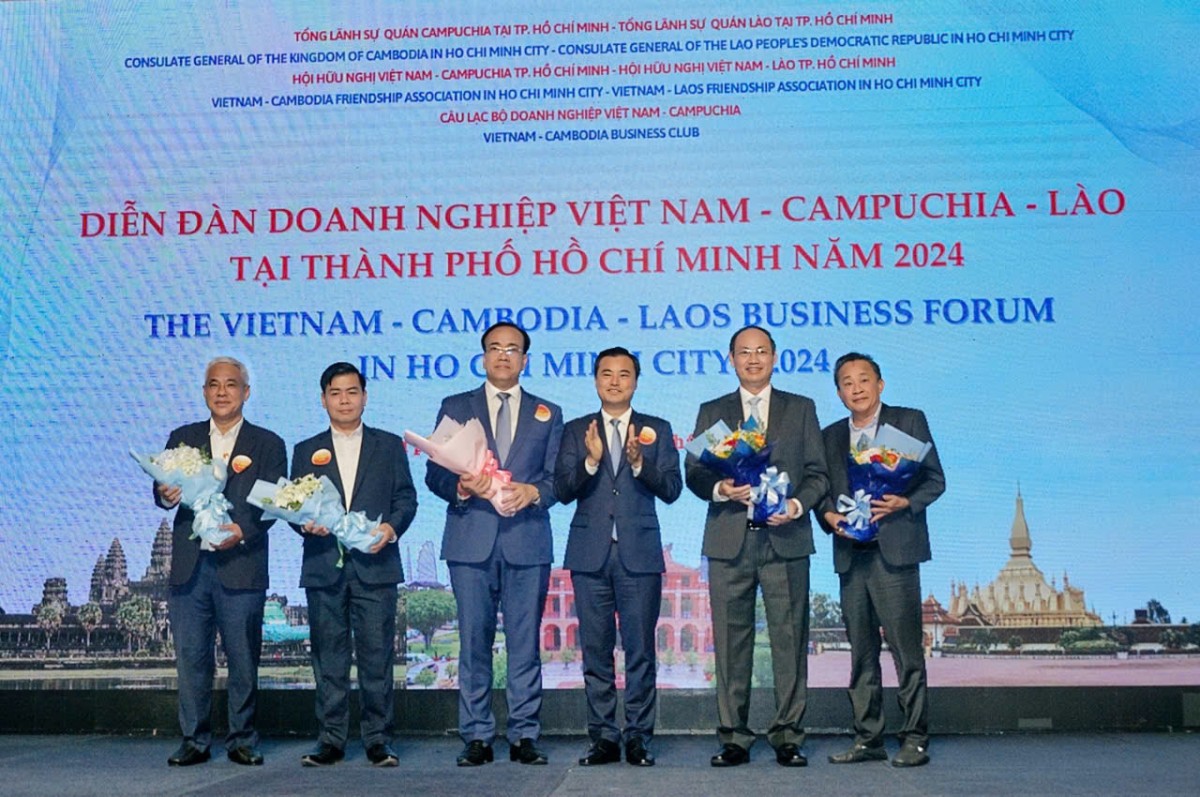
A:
733,588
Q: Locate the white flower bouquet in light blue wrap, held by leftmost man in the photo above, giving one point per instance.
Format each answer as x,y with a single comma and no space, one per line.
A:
201,481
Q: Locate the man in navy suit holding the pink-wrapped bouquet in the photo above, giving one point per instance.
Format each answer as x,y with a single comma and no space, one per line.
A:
501,562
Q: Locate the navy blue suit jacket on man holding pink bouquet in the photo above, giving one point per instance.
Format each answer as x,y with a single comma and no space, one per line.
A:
475,529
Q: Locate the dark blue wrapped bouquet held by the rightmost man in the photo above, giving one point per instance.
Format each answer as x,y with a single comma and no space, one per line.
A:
884,469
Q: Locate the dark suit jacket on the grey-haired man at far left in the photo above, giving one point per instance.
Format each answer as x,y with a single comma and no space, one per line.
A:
243,567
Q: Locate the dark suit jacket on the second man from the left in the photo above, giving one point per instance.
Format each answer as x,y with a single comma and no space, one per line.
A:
383,488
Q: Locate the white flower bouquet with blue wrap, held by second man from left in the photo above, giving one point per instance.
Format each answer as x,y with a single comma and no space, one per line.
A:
313,499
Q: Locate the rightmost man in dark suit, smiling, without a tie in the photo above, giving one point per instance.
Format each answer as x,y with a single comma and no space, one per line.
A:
881,579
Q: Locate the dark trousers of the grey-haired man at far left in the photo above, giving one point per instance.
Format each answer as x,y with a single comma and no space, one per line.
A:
199,610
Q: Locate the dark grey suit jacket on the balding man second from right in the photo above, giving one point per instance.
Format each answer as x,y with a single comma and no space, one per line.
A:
797,451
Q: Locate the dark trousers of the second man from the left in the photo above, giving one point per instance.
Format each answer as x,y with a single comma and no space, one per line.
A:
368,614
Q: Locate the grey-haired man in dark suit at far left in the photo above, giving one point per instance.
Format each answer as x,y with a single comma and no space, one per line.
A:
224,589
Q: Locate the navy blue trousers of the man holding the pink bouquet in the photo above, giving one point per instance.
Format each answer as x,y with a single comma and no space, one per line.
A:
482,591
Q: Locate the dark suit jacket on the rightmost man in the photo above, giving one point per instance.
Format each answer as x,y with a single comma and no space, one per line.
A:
904,536
